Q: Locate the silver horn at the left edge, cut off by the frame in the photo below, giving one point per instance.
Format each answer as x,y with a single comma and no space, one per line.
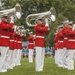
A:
16,11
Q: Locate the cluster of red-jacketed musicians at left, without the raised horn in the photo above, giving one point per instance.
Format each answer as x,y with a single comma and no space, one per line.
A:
10,44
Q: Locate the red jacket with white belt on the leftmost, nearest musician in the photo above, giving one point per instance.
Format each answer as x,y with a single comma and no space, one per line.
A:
5,34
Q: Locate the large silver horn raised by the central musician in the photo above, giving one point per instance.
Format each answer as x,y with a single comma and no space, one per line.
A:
48,16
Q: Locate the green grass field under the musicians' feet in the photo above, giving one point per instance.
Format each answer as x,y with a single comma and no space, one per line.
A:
29,69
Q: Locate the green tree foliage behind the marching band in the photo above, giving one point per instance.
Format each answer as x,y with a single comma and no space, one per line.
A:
64,10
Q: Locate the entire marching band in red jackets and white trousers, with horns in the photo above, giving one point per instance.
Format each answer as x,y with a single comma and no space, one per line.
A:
11,40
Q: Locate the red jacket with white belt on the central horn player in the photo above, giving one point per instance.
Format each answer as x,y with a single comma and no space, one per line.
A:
40,31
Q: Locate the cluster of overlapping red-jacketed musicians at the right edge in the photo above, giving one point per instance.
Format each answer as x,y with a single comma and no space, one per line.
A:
65,45
